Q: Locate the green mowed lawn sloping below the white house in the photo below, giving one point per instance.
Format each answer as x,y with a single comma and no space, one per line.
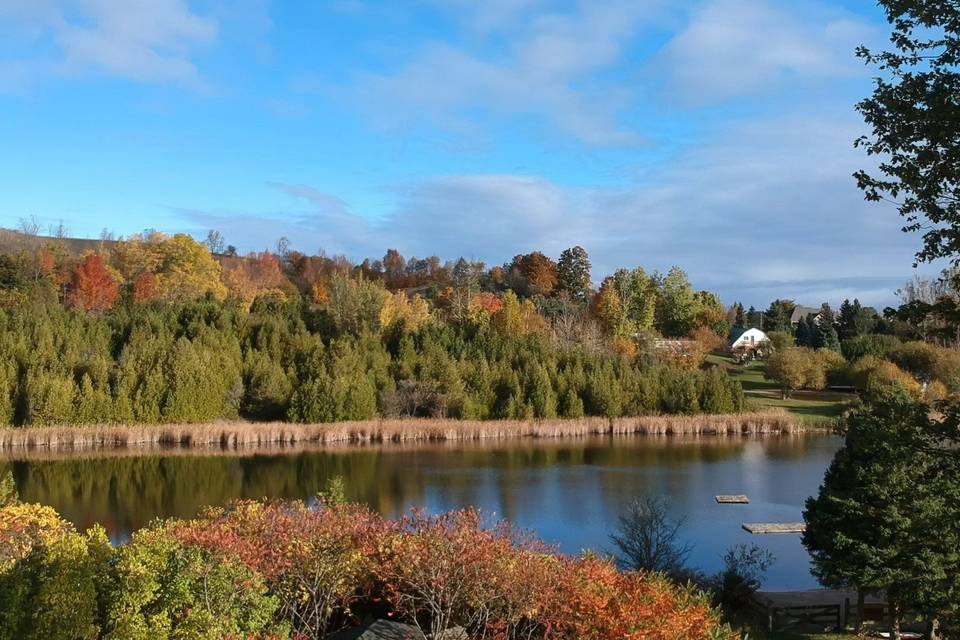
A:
811,406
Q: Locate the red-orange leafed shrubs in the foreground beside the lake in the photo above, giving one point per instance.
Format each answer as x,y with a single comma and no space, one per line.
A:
331,565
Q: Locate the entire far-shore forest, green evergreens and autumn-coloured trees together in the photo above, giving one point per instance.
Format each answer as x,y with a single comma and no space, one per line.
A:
160,329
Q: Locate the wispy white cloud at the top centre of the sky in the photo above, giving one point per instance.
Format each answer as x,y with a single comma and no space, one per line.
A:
547,71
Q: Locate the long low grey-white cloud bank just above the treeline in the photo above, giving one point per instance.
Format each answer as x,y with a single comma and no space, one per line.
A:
762,210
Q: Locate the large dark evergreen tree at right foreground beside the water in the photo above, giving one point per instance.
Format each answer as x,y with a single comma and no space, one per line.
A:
887,517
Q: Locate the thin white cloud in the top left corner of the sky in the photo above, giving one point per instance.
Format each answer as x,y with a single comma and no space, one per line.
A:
141,40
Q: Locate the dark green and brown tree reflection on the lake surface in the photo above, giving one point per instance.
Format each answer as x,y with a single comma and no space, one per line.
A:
126,492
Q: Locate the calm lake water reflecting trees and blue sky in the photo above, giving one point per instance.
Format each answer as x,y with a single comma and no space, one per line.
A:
569,491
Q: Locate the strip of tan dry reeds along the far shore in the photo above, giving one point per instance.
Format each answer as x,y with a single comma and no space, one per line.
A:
251,435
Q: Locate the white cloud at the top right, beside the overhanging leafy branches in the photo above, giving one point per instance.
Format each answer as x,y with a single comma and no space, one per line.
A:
735,47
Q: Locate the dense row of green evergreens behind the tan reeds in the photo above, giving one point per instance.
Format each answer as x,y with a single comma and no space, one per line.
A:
207,360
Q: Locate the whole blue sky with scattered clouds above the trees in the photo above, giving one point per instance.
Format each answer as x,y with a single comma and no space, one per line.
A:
712,134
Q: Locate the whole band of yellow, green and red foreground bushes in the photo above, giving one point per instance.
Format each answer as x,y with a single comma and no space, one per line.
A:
283,569
